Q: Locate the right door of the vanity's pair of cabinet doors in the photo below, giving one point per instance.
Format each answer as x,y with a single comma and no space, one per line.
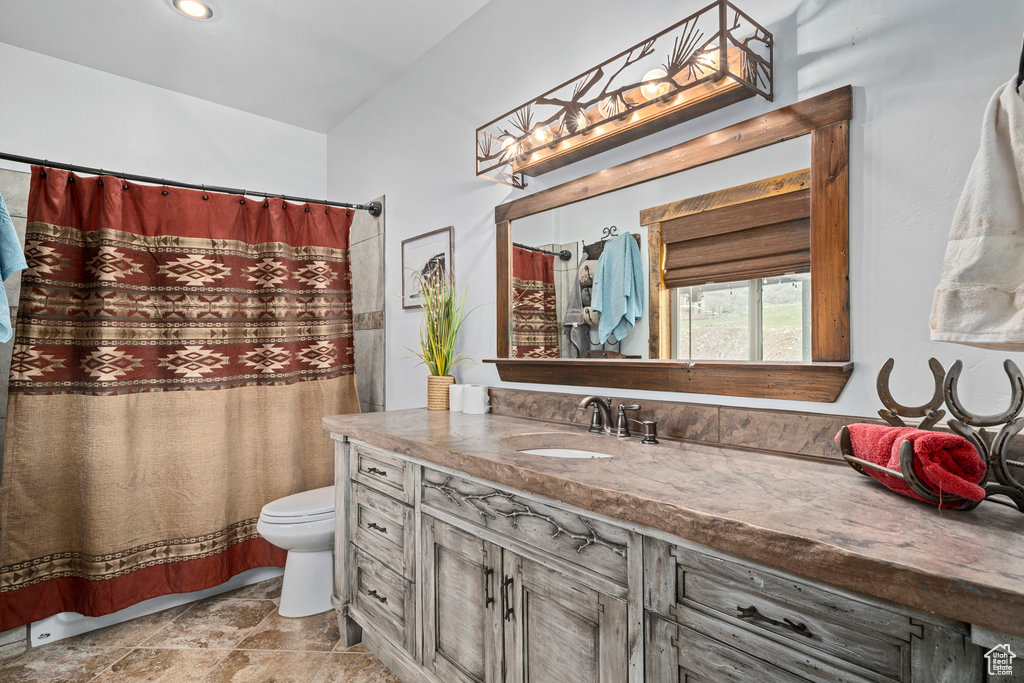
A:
559,629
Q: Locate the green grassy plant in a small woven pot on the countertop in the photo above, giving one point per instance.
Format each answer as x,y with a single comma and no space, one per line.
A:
444,314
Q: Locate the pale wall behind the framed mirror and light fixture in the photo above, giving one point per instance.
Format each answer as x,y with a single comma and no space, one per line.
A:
923,73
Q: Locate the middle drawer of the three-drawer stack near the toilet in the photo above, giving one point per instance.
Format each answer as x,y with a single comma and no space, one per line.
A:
383,528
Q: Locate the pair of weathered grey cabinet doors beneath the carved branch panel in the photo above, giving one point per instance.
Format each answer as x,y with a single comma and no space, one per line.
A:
492,615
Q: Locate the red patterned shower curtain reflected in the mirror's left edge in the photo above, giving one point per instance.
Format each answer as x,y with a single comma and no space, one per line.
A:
535,317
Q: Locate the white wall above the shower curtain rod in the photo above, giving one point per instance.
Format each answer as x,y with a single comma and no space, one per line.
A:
56,110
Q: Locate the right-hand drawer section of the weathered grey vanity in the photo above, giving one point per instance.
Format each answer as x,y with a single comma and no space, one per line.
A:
710,618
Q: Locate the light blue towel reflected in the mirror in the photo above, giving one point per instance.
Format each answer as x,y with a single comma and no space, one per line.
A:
619,291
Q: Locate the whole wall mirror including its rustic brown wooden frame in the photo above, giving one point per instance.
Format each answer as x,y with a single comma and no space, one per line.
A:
719,217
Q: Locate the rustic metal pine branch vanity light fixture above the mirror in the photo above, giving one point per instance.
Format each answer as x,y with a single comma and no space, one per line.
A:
712,59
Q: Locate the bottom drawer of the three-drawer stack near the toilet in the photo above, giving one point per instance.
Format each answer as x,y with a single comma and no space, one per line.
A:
385,597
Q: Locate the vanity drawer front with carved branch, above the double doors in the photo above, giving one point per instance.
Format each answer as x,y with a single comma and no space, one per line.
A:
599,547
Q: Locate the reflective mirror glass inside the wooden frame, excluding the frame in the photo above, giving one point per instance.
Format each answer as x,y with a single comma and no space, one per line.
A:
574,264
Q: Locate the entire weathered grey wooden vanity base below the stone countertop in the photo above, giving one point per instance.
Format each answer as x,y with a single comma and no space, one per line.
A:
453,579
